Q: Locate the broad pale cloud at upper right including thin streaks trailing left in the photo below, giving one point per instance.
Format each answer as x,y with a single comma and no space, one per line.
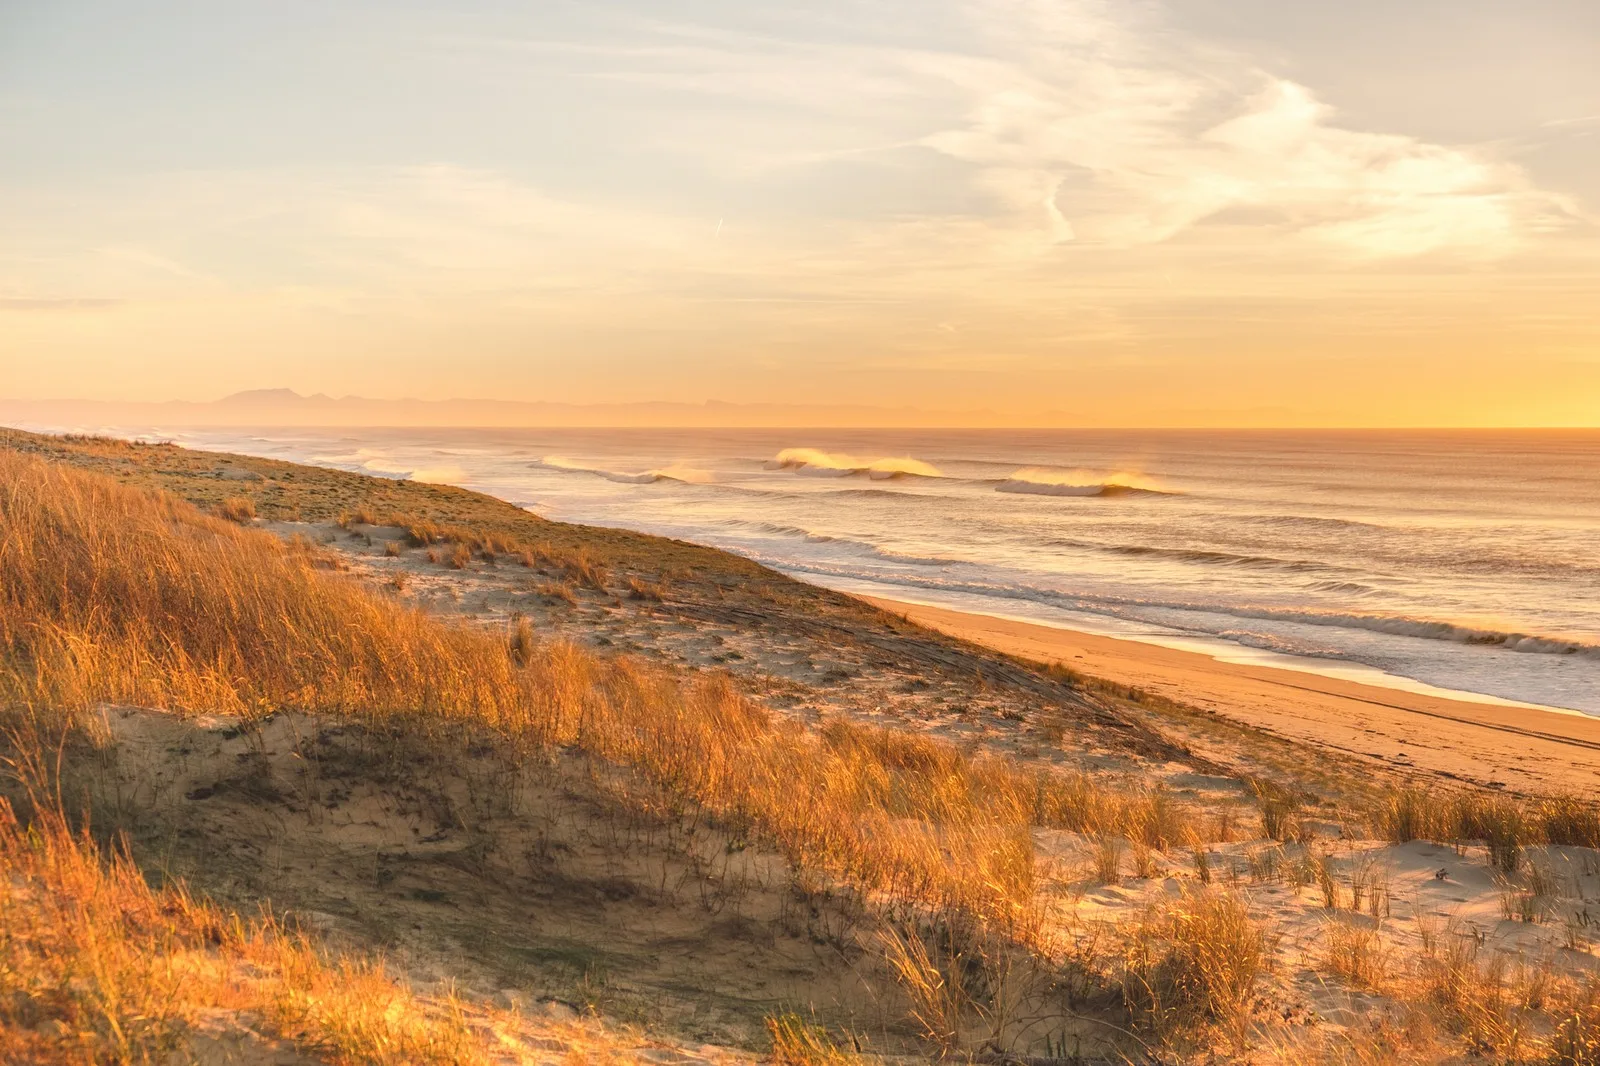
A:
1090,122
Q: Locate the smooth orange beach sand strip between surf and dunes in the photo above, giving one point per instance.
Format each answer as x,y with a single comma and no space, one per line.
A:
1514,748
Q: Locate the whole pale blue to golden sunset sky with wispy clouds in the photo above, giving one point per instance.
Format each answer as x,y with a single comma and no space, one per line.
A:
1122,212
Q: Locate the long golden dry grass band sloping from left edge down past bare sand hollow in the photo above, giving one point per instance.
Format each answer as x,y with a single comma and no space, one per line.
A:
127,596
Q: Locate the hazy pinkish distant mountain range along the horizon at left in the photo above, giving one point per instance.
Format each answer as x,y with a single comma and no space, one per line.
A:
286,407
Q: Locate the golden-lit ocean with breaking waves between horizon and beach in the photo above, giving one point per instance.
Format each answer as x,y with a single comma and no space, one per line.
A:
1465,561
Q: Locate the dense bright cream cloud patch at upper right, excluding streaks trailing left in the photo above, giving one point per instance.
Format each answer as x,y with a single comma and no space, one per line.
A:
1098,122
